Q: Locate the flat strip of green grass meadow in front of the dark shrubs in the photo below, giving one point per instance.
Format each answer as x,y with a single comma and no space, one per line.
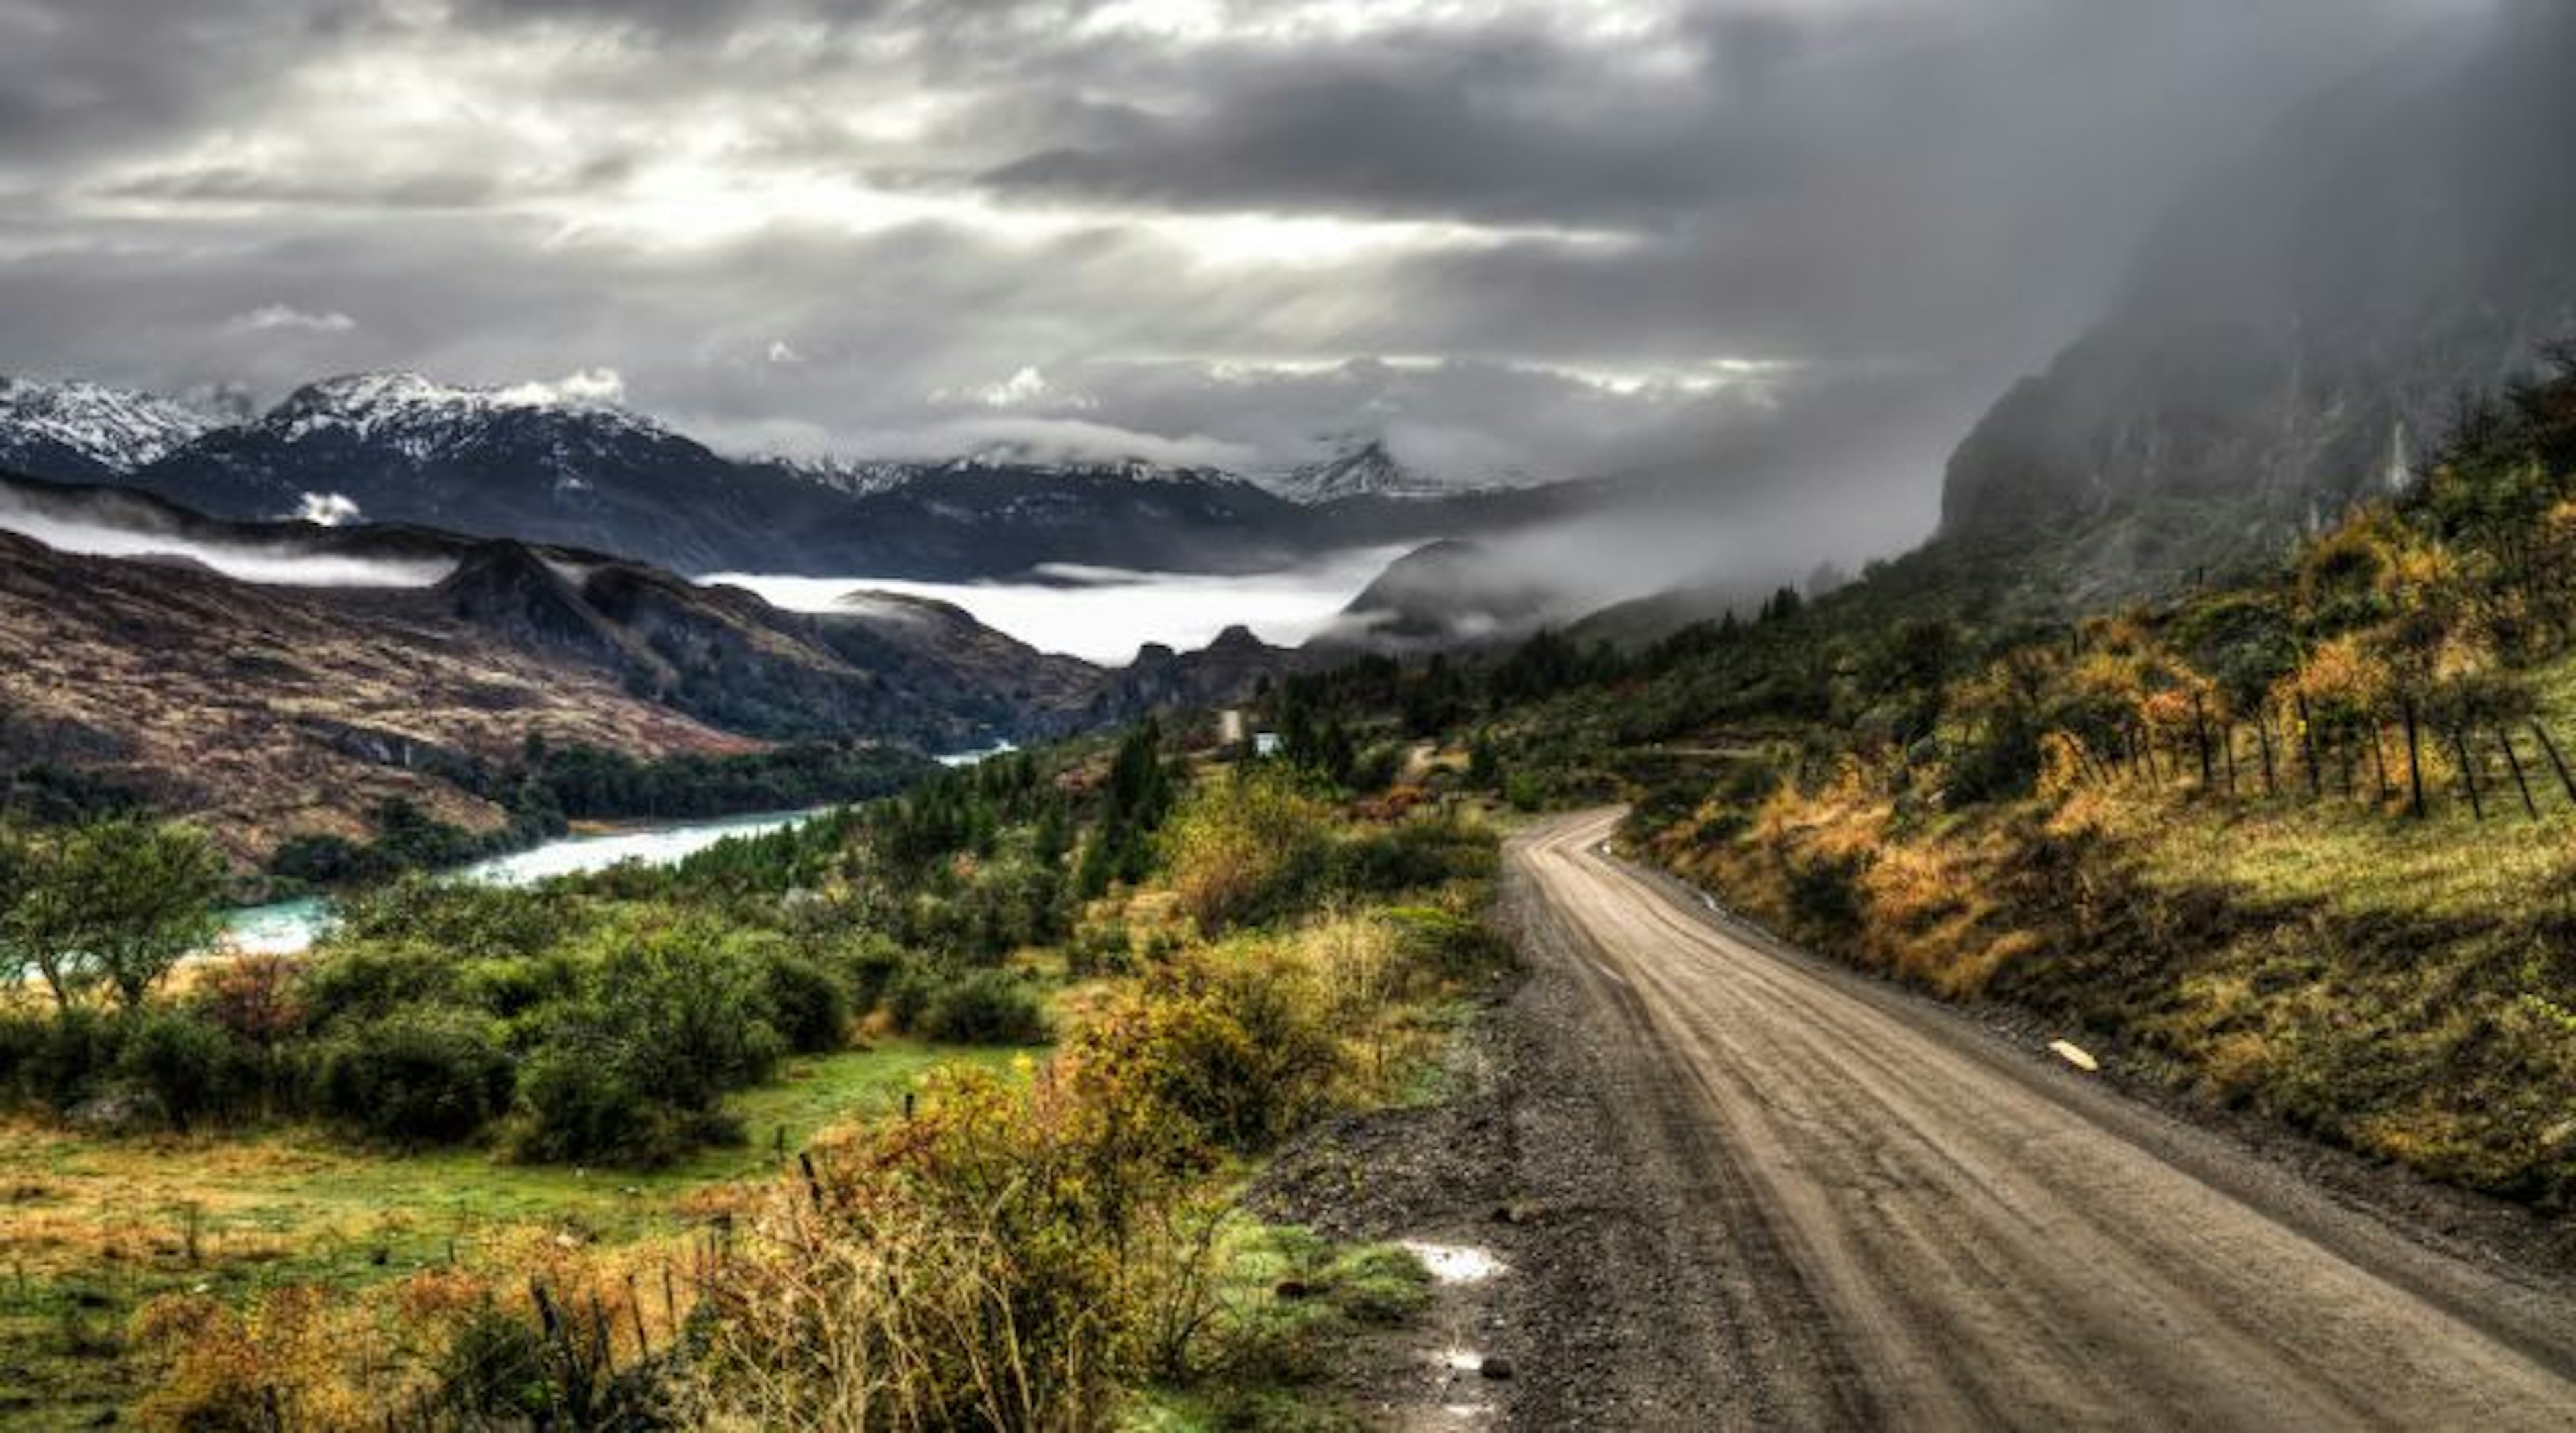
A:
91,1228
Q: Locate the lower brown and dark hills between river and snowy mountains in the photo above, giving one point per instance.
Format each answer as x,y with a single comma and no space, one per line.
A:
359,664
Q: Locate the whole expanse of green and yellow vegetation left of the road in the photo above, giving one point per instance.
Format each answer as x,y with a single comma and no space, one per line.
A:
923,1115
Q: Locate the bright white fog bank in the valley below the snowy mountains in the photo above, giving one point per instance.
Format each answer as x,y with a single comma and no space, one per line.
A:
1104,615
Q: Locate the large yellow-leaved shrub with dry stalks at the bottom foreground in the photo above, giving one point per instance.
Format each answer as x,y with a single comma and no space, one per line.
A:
972,1269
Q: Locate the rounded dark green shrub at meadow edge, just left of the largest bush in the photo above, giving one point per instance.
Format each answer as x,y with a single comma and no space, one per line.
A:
419,1076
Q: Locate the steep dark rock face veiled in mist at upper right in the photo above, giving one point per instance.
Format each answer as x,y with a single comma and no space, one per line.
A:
2307,321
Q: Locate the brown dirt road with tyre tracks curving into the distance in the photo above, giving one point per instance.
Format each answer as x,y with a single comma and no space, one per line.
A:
1830,1205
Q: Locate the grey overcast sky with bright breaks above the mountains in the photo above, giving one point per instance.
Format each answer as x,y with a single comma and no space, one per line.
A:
1555,236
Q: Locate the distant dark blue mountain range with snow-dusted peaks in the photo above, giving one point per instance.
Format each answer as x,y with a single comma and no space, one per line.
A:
547,468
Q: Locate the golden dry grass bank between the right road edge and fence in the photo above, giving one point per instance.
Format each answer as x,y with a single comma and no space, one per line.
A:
2394,986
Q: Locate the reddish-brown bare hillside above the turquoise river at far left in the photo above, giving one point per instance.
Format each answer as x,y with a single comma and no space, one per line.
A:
272,713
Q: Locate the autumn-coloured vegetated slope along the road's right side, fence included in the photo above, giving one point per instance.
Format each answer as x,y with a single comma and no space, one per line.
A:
2294,842
